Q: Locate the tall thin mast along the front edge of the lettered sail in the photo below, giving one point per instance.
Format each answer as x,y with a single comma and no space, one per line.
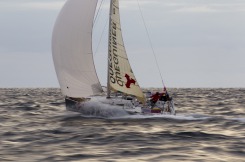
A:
108,70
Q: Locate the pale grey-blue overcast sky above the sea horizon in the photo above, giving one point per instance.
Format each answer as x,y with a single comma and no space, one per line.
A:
198,43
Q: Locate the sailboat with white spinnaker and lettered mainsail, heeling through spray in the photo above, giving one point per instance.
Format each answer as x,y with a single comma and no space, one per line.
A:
75,69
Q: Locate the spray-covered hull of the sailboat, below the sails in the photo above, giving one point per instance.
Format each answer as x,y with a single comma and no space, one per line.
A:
104,107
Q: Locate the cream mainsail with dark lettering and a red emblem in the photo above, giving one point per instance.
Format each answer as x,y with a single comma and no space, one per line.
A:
121,77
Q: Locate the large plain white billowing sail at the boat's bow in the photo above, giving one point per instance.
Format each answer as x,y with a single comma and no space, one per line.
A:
72,49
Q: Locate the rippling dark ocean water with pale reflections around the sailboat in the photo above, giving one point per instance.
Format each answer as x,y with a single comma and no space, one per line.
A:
209,126
